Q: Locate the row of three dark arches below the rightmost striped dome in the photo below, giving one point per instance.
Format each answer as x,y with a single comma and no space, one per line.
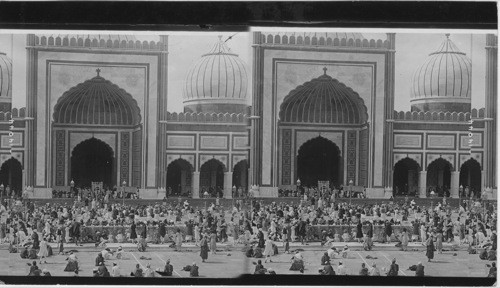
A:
439,177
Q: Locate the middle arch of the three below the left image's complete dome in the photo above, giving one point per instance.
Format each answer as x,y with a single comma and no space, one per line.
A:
212,177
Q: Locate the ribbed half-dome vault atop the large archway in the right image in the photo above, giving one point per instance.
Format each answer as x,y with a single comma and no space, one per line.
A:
323,100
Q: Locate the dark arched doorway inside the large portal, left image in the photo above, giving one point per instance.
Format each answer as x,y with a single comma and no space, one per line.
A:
93,161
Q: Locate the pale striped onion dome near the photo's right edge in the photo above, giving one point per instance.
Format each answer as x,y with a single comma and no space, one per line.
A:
443,81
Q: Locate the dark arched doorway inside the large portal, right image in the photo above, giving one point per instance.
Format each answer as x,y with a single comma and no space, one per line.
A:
319,160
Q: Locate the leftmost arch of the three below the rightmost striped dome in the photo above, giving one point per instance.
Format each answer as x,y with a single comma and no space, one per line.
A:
405,180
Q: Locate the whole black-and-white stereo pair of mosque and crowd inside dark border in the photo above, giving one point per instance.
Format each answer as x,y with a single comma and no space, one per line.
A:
278,152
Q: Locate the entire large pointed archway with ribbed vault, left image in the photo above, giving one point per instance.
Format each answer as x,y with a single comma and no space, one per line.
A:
97,108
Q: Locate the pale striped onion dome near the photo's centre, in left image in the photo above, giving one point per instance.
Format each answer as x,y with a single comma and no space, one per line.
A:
218,82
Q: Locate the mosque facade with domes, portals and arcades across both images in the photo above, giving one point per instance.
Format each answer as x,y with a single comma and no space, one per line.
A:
321,109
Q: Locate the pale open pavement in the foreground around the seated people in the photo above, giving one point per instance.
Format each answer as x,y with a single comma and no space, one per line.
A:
230,261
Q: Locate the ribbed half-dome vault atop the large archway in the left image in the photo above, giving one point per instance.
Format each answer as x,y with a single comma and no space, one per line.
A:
97,102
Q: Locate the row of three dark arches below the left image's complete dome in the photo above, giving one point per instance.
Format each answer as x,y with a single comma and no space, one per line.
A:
212,177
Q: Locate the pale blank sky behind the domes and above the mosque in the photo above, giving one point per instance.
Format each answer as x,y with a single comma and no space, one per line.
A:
412,49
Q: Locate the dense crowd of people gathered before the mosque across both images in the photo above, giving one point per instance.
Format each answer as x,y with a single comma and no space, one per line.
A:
259,228
